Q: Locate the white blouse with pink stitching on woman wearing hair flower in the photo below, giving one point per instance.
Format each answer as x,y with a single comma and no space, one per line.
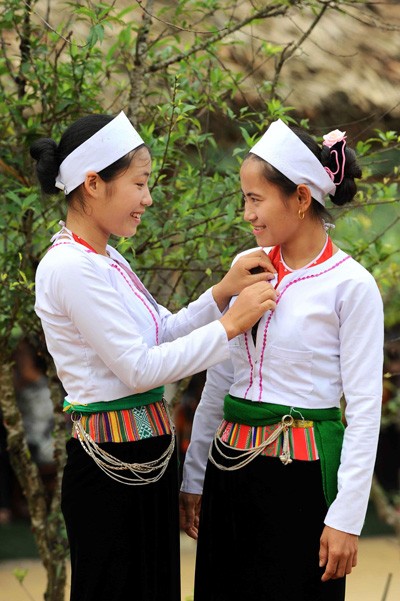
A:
325,338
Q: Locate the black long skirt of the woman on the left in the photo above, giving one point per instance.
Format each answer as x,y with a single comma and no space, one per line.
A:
124,540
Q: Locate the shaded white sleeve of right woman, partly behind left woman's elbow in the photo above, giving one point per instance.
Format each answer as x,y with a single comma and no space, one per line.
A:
208,416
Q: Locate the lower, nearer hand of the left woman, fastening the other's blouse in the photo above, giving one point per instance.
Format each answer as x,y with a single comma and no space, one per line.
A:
249,307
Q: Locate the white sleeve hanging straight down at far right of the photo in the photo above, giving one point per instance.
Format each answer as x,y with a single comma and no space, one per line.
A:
361,364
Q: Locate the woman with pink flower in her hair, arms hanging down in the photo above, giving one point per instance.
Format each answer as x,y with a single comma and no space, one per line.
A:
285,486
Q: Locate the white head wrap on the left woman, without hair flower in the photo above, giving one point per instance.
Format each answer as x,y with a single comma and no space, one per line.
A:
110,143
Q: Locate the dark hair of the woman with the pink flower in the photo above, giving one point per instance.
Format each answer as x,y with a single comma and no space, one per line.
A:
345,191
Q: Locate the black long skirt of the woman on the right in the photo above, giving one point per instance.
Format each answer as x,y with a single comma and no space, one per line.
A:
259,534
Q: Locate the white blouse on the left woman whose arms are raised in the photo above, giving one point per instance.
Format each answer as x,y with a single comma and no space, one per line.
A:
103,338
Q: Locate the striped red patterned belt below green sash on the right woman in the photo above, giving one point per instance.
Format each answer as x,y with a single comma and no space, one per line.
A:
301,439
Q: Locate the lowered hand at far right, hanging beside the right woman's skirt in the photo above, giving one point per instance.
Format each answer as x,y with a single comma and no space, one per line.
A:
337,553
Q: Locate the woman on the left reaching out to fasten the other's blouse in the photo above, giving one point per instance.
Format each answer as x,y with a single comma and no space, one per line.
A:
114,348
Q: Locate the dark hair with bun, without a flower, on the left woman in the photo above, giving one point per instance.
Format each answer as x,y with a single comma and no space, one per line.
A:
49,156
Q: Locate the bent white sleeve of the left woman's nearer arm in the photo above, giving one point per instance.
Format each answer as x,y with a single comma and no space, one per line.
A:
79,292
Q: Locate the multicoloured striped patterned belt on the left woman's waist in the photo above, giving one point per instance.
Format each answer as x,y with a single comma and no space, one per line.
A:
127,425
